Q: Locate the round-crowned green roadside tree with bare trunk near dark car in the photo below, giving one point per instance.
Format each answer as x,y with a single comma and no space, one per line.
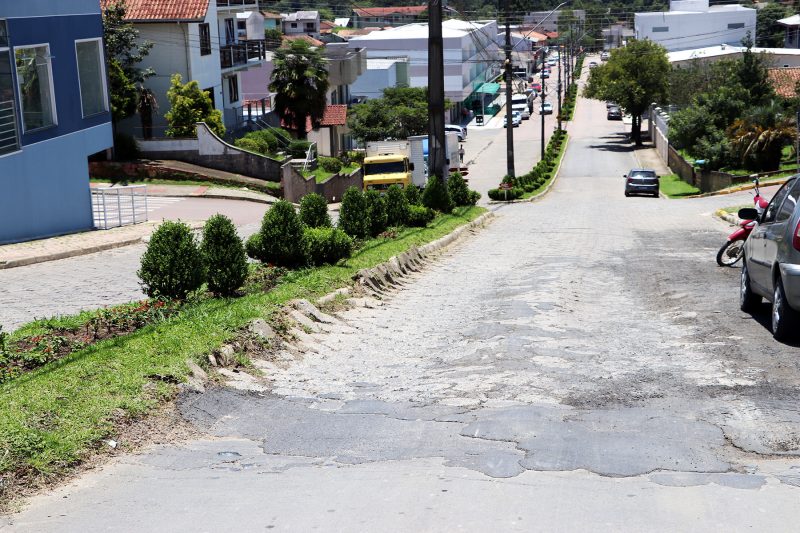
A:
634,77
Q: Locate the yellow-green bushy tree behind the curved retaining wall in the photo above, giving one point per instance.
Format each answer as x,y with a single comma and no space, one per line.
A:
188,106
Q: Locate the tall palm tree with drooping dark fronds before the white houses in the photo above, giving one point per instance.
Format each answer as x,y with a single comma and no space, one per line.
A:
300,81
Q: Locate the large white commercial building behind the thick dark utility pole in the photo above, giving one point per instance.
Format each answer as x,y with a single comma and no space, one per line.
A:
471,55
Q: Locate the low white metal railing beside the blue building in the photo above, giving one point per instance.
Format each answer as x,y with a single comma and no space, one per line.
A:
119,206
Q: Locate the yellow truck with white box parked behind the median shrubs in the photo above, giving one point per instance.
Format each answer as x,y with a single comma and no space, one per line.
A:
386,163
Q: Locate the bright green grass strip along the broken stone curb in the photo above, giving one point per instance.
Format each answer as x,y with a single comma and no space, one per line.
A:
56,416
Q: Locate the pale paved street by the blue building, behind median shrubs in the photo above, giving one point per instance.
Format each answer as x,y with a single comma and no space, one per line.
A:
106,278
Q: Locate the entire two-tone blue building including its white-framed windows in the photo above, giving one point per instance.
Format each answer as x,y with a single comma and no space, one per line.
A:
54,113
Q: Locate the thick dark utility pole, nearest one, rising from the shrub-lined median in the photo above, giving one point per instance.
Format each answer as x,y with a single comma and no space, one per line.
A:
437,164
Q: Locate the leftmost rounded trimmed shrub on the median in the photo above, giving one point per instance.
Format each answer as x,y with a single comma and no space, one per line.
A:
172,265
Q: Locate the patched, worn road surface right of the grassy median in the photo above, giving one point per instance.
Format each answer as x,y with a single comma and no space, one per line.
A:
579,364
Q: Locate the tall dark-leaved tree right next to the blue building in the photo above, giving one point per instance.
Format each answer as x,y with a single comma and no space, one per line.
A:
124,54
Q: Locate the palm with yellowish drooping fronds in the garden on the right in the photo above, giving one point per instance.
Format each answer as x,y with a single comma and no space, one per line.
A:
758,137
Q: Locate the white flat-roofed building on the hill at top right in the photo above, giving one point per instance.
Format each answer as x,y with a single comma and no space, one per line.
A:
695,24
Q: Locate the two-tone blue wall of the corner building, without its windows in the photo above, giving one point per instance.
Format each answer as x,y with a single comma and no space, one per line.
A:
44,187
